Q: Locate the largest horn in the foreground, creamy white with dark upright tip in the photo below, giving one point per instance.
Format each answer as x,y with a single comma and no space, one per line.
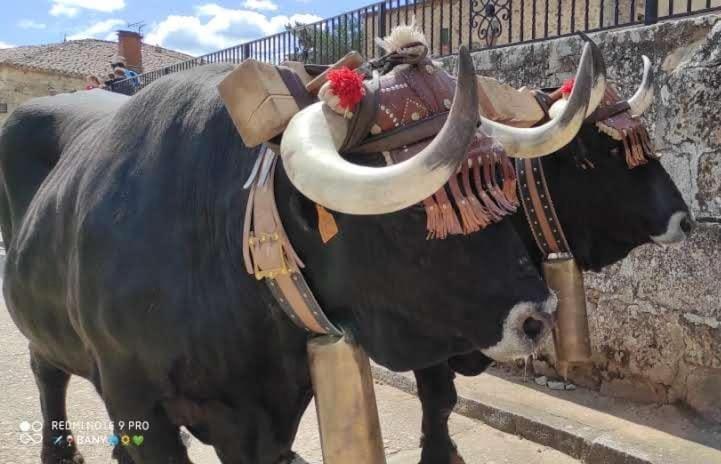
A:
309,150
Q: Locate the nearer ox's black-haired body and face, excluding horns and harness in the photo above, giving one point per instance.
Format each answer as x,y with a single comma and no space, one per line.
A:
125,267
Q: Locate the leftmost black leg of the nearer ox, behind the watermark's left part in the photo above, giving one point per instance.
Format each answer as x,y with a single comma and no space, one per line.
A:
53,385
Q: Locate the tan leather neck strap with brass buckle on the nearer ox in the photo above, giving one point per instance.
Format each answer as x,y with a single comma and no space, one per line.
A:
269,255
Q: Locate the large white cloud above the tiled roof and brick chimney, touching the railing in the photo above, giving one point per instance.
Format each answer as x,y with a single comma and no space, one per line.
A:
214,27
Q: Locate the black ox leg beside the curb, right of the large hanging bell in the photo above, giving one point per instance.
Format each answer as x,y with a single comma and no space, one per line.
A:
438,398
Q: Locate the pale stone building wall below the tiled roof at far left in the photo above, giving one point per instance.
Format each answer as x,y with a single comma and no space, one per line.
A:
18,85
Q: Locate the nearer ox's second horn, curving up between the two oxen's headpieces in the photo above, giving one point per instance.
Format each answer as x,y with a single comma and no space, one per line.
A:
538,141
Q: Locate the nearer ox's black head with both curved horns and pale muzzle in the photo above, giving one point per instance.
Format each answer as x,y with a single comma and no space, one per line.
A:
413,302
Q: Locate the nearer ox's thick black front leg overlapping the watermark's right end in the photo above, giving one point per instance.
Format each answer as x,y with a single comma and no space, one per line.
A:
130,400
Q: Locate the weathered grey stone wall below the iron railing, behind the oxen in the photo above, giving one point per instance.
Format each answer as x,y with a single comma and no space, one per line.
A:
656,316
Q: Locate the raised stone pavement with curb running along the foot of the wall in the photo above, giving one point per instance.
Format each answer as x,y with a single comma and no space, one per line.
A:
584,424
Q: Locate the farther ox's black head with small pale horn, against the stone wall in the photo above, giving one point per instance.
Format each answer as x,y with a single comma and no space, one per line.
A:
607,204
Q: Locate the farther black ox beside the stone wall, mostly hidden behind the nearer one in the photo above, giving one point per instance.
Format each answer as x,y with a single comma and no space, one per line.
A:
606,211
